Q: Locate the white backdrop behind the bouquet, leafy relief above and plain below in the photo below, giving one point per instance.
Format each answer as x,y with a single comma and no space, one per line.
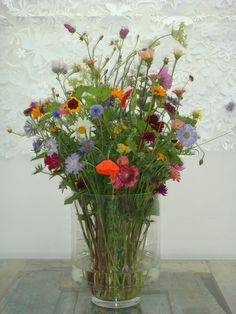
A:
198,214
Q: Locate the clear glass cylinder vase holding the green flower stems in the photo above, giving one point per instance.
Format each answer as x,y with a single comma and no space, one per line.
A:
115,245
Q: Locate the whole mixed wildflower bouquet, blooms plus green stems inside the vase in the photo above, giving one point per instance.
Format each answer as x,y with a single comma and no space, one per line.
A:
114,128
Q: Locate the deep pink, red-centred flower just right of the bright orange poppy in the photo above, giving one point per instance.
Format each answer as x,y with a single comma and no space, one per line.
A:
127,176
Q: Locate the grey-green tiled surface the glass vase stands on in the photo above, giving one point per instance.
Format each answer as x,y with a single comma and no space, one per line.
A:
184,287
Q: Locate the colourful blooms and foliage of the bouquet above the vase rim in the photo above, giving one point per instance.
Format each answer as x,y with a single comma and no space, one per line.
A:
110,131
